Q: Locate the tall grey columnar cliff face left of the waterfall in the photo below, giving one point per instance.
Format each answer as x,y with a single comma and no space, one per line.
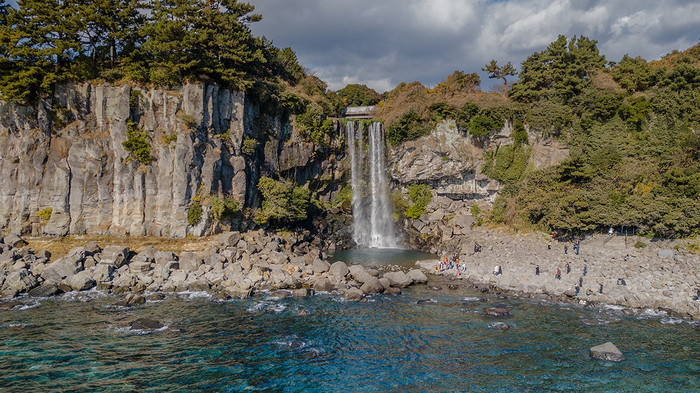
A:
65,155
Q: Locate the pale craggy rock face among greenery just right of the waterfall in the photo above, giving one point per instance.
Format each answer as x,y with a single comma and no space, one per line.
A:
450,162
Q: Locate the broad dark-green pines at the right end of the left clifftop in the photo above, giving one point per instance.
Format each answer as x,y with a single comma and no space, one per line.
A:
200,40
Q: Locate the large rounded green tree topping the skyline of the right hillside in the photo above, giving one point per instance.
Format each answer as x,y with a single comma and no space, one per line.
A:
562,70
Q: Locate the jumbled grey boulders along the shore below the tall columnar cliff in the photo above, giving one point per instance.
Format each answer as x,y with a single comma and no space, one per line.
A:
240,265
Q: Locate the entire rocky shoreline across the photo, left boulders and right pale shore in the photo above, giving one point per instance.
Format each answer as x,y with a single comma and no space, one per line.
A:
655,276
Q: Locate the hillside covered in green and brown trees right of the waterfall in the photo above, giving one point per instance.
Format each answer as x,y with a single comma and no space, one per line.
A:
633,129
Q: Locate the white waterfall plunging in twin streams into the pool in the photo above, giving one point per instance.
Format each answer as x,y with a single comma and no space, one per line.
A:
373,225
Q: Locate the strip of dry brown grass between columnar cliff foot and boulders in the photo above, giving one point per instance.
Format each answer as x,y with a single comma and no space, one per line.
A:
60,246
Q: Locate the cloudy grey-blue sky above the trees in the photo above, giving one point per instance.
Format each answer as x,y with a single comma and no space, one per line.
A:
383,42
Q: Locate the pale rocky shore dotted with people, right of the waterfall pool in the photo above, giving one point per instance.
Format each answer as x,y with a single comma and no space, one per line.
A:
656,276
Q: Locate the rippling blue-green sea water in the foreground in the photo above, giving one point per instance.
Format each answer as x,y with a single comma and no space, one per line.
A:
424,340
